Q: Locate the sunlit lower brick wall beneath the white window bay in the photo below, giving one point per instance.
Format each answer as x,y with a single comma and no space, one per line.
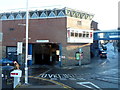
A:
69,53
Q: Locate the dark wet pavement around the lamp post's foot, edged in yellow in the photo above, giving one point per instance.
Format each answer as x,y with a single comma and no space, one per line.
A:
36,82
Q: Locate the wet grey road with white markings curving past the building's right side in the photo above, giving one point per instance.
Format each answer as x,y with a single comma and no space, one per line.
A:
99,75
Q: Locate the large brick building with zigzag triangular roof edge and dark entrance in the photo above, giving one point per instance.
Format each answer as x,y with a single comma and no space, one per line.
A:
54,35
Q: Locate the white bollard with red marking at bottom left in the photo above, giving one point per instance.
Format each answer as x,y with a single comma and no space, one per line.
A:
16,74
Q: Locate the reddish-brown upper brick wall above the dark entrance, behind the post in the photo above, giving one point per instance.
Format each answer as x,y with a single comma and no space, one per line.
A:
52,29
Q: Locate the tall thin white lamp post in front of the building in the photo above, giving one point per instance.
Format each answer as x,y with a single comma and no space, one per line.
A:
26,53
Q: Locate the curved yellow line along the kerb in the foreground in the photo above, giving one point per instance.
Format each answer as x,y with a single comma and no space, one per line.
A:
58,83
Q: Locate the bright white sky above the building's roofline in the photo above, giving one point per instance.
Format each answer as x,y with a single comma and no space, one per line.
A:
105,11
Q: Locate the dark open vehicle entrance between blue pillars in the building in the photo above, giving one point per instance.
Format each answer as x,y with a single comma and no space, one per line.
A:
45,53
